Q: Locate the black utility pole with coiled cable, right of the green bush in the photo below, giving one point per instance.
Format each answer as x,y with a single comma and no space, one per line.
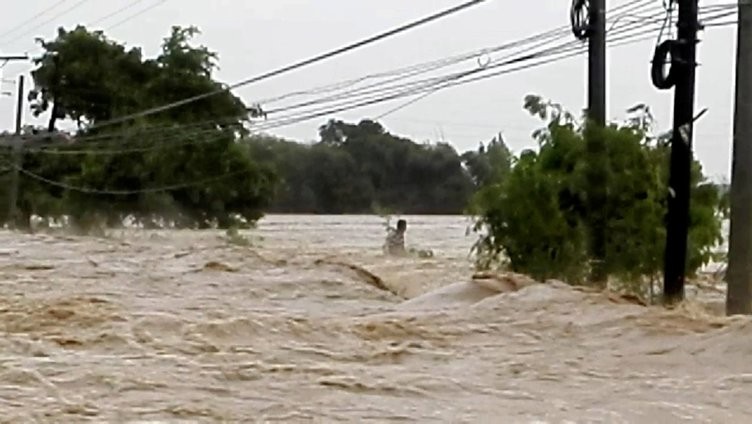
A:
683,64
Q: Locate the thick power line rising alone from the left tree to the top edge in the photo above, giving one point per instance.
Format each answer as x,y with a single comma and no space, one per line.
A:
300,64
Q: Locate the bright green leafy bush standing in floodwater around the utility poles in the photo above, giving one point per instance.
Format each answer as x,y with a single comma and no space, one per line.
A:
536,217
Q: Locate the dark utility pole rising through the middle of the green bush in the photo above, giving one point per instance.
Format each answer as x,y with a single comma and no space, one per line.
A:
595,142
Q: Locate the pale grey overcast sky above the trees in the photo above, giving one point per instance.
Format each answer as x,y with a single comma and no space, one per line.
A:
254,36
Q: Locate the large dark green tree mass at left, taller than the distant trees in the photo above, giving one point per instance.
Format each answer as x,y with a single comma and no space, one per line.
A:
83,77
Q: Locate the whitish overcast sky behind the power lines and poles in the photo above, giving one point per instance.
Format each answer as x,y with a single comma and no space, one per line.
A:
271,35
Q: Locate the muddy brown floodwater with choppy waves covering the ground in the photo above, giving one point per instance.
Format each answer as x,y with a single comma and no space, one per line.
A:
313,324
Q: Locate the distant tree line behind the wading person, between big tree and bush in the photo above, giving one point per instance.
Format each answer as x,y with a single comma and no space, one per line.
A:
362,168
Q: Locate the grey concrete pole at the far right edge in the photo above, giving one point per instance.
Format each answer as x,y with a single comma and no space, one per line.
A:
739,273
